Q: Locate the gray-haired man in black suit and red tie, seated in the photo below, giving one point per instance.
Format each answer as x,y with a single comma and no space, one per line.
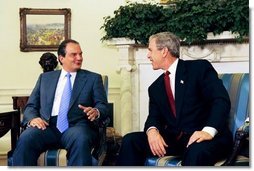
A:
195,127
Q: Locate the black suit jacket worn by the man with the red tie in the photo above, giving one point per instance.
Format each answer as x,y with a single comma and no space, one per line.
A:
200,98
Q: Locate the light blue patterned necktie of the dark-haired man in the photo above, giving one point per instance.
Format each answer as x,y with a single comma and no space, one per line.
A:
62,119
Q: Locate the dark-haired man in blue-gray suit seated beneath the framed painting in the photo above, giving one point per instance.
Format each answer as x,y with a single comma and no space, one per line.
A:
88,102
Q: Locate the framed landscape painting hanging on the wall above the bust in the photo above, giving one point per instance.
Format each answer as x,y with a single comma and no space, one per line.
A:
43,29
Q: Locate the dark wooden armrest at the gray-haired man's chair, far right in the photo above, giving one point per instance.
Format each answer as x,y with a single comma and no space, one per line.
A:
241,134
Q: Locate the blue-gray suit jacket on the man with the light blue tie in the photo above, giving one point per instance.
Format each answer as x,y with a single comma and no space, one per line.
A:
87,90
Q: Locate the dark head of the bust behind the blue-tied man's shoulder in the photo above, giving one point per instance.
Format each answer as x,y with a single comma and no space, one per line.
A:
48,61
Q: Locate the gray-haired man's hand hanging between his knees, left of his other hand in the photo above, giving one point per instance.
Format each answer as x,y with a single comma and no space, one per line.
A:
156,142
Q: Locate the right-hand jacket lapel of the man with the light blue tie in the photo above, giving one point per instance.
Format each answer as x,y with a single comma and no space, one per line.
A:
79,83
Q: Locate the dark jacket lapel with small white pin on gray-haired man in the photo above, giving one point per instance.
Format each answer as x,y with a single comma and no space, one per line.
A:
180,84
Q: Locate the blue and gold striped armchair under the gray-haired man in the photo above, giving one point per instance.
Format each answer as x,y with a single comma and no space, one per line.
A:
237,86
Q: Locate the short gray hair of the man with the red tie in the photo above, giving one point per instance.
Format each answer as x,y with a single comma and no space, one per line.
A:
168,40
